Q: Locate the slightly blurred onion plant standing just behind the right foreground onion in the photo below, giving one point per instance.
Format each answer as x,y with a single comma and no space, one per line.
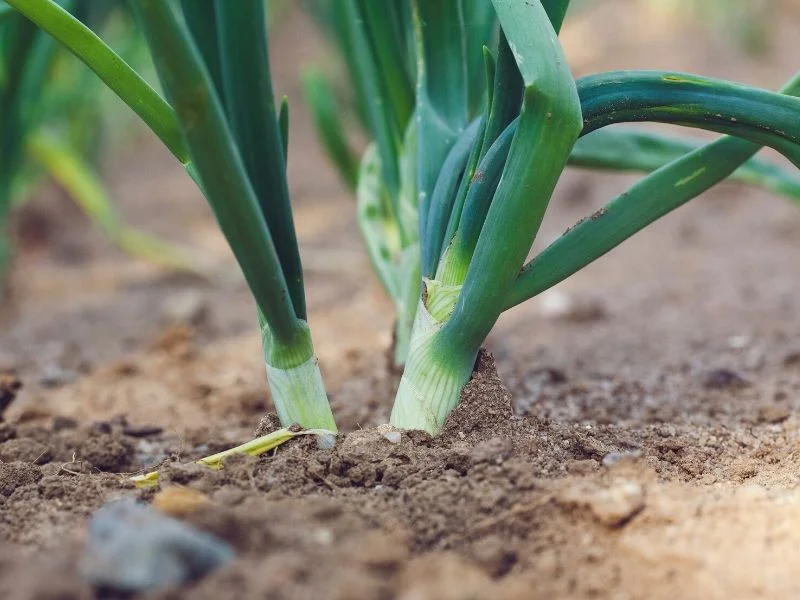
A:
379,45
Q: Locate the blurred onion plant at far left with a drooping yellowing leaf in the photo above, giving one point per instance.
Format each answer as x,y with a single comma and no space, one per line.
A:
50,121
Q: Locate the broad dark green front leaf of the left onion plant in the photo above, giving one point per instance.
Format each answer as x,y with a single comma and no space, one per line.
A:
217,160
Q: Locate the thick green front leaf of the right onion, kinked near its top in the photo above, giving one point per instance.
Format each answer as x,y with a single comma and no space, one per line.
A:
549,125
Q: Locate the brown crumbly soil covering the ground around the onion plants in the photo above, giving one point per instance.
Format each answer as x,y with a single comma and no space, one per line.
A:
641,440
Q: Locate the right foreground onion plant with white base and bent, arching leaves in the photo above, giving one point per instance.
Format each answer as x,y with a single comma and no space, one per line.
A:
476,272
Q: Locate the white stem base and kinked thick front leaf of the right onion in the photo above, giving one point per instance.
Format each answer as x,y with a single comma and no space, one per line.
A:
453,320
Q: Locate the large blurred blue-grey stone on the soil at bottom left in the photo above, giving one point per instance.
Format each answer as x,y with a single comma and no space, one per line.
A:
133,548
